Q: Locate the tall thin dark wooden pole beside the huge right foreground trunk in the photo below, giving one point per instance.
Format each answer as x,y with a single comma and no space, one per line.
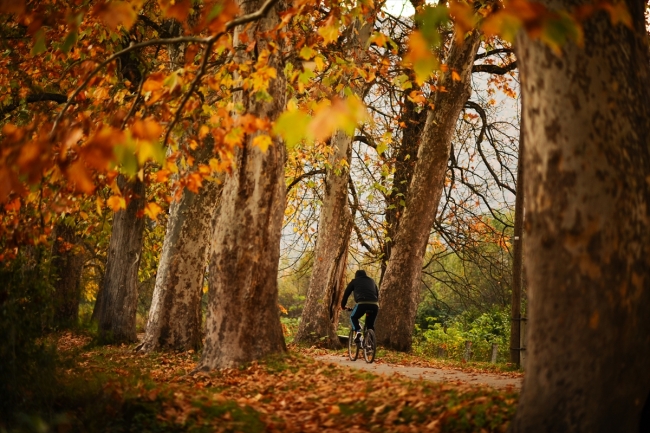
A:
517,260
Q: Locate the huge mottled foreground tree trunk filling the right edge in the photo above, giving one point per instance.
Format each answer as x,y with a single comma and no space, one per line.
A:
587,241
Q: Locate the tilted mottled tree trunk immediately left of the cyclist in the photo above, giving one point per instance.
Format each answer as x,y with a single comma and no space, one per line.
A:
320,315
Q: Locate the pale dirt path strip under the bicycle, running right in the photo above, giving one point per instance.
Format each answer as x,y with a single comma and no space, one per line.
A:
432,374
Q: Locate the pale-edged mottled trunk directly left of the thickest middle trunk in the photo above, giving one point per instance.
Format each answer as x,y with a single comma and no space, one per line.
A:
175,315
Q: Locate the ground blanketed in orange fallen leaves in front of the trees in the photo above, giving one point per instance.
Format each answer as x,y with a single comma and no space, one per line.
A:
111,388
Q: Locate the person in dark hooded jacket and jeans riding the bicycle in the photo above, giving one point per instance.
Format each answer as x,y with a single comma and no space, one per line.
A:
366,295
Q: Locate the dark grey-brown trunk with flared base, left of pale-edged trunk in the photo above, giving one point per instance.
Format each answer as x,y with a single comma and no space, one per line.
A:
116,305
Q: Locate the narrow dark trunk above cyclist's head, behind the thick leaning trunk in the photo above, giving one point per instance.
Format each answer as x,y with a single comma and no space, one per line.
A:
405,159
